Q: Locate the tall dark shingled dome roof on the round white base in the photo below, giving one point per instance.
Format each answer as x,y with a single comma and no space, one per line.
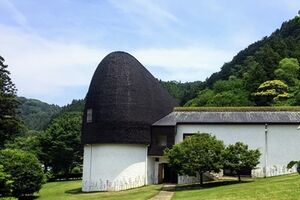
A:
125,100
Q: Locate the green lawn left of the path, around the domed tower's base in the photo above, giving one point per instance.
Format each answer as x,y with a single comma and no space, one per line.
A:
69,190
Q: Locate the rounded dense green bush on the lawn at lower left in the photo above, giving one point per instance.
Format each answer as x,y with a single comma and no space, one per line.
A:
25,170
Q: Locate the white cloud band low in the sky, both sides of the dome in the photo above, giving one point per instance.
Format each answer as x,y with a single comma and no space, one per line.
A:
42,67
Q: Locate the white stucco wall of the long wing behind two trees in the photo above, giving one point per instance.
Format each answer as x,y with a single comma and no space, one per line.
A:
283,142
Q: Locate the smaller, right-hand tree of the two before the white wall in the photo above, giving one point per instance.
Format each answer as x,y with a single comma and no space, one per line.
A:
238,157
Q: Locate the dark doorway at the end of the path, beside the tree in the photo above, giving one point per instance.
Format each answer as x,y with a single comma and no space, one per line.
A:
166,174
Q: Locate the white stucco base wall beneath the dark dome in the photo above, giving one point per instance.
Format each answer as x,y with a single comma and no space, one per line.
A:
114,167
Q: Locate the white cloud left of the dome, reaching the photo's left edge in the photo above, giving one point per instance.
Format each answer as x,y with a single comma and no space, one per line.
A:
43,67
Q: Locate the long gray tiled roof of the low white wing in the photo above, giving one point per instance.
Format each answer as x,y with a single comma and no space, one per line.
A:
251,117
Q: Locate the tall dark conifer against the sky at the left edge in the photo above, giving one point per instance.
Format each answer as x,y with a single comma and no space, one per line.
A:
10,125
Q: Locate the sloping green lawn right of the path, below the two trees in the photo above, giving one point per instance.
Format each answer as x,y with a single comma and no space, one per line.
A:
275,188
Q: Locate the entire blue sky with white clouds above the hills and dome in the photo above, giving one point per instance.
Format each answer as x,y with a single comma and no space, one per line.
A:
52,48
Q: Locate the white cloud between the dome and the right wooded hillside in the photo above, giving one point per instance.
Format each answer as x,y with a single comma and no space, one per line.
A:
185,64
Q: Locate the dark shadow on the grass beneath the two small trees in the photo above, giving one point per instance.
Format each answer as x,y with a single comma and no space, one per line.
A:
209,185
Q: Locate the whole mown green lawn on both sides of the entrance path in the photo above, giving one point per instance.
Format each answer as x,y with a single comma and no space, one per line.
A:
275,188
